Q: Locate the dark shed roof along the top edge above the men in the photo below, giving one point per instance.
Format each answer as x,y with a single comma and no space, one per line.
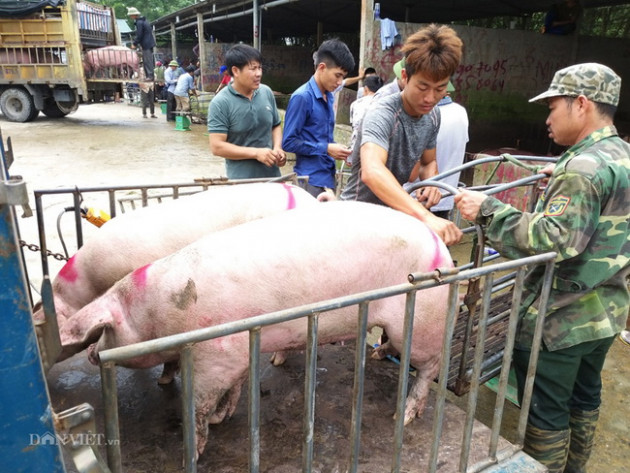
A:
231,20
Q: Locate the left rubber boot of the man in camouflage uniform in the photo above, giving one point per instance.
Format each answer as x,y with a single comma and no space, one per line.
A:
549,447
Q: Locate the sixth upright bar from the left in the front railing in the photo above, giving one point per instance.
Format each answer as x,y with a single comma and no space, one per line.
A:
403,379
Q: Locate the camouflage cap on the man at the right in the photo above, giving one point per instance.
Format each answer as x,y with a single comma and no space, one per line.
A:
596,82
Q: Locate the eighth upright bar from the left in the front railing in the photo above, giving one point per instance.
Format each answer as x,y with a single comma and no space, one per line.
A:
474,385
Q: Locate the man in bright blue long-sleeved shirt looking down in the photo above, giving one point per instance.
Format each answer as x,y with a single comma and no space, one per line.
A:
309,122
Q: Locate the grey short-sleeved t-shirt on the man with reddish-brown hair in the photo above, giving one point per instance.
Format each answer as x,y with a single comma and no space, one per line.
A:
404,137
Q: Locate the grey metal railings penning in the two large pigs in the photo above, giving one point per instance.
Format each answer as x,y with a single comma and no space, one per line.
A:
417,282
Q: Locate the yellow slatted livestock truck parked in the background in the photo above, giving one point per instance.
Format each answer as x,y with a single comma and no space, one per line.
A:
42,50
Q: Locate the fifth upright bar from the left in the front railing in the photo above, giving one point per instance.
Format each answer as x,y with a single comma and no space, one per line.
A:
358,388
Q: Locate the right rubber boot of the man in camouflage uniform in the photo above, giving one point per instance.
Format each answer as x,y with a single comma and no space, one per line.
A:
582,424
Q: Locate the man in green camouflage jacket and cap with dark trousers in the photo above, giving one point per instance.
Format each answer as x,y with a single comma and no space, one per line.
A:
583,216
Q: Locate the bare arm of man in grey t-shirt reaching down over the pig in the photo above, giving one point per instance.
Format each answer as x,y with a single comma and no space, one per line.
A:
380,180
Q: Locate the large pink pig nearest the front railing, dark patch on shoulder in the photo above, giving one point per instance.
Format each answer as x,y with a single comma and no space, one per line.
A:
286,260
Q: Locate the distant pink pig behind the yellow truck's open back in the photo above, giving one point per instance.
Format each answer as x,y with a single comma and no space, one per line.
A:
112,62
